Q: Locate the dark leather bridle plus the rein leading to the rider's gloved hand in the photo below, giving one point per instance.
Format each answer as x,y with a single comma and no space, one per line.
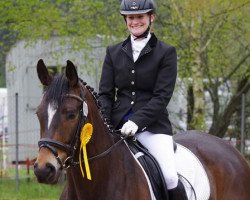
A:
71,148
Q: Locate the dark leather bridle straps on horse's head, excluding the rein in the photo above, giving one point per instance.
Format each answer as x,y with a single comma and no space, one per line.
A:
71,148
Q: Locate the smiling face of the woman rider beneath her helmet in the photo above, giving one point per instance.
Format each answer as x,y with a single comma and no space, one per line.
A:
138,23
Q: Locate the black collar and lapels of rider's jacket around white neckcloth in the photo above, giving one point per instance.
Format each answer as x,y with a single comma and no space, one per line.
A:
127,47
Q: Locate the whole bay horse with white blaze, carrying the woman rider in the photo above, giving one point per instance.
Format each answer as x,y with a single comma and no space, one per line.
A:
68,104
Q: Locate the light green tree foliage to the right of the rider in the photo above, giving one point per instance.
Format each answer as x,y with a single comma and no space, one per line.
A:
218,29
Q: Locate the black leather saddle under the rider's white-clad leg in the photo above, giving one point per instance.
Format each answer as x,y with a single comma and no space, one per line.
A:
151,167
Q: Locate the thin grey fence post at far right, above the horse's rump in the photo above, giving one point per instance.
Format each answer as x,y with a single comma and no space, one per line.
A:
242,126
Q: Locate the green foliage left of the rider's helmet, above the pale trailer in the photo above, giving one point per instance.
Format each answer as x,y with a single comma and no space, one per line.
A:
44,19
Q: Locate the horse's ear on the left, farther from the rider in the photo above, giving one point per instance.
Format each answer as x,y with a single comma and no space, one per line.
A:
43,73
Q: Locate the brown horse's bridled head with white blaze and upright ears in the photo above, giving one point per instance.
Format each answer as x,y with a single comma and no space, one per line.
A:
62,113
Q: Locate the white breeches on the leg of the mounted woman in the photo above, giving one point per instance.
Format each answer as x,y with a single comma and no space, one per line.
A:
161,147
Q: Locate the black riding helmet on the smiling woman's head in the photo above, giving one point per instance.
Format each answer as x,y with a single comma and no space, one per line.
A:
137,7
